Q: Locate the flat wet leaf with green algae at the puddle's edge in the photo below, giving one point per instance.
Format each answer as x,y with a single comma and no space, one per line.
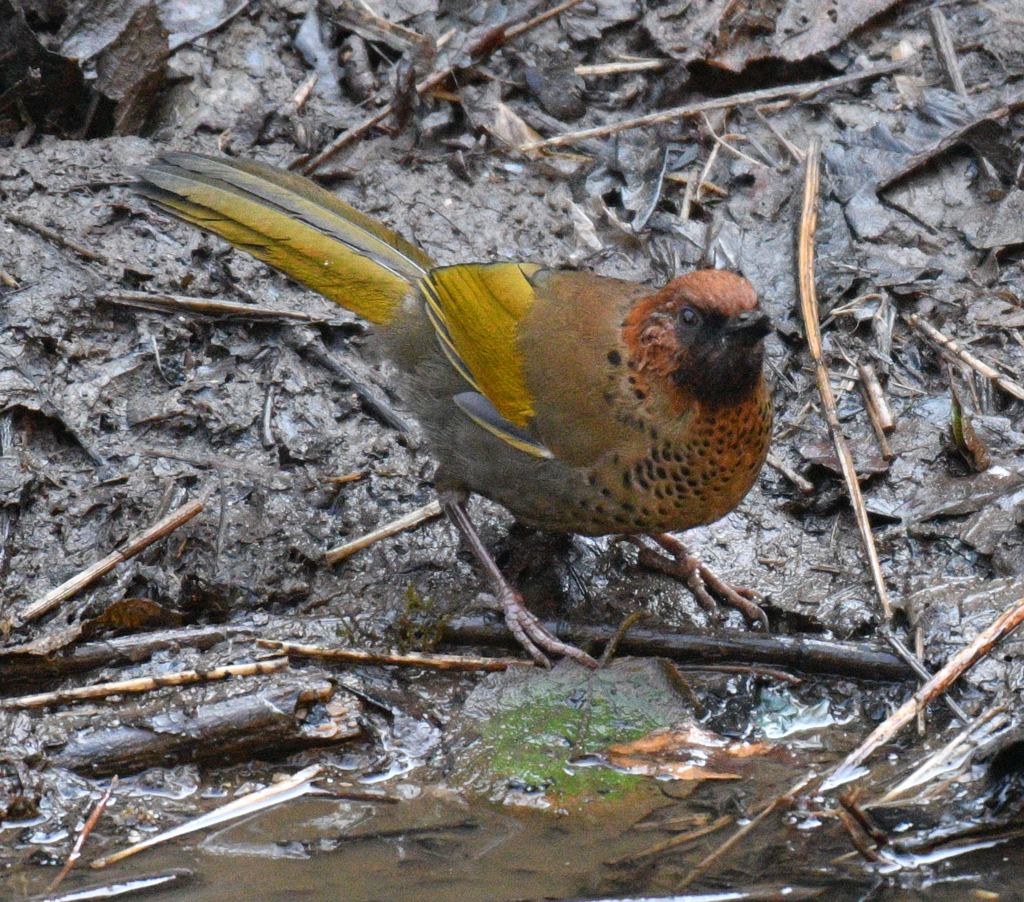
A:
534,738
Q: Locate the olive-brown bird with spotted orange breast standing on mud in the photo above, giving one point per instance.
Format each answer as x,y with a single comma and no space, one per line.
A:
582,404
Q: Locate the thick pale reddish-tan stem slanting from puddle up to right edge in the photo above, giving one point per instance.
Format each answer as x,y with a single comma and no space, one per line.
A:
955,669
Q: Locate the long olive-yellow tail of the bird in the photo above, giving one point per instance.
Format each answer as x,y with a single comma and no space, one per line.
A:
294,226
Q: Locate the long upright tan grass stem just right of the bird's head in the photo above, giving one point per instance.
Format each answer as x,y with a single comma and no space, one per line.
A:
809,310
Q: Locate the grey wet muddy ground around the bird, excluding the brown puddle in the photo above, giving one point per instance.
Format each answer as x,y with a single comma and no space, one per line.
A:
114,415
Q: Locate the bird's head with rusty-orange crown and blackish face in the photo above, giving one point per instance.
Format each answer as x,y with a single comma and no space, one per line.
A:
703,334
